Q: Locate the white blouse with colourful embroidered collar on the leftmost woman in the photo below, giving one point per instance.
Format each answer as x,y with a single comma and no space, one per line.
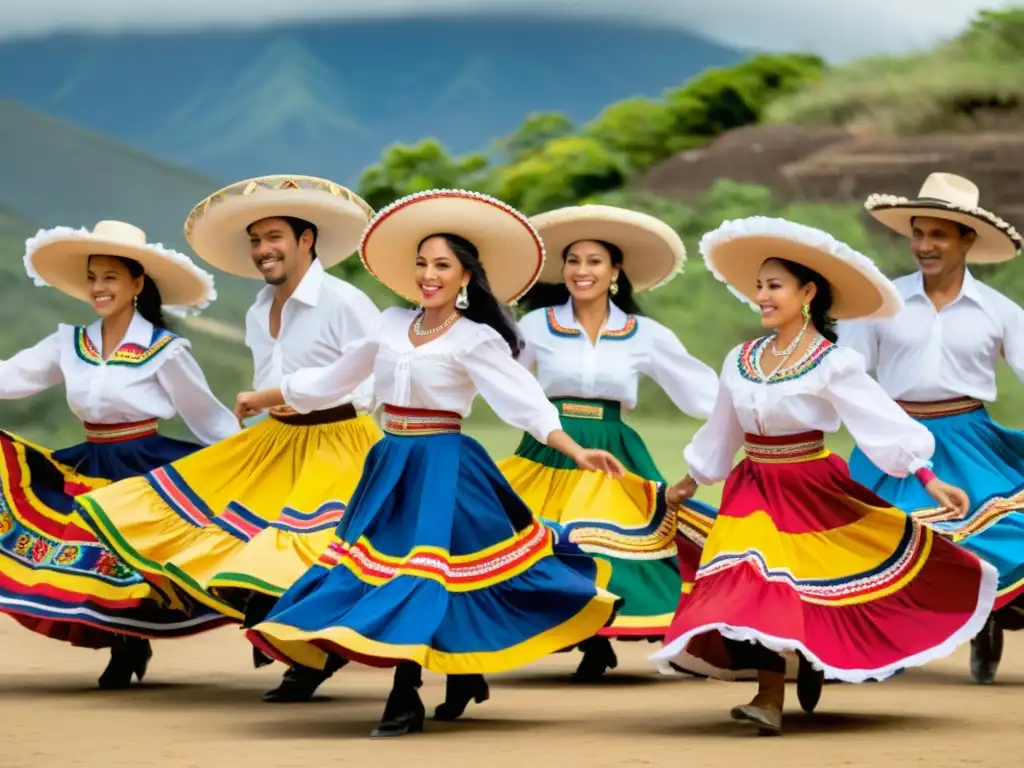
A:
150,376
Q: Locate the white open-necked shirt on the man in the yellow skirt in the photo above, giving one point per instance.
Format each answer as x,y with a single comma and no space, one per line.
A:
318,321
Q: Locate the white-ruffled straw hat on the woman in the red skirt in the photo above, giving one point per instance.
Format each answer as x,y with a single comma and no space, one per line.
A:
736,251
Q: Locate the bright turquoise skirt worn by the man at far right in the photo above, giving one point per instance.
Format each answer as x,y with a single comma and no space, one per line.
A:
988,461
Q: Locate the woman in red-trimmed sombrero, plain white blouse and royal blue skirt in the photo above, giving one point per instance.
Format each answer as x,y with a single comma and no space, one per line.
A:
438,563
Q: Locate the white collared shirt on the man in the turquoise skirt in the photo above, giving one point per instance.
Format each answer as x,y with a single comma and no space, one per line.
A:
924,355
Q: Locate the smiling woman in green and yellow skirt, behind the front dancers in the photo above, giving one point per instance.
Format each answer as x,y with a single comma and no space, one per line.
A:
589,345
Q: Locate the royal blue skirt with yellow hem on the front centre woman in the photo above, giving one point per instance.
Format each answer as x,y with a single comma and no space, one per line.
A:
440,563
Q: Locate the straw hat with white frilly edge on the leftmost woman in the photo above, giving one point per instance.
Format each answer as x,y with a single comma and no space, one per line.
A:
60,259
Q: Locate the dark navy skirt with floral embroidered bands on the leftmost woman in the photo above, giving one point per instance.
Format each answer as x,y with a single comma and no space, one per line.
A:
56,578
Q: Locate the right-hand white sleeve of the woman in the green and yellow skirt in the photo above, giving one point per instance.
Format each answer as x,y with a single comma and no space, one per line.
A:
692,385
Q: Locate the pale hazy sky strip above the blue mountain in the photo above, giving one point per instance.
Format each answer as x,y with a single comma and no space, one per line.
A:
838,29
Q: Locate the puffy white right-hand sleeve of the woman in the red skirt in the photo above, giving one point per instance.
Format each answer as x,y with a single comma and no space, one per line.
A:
892,441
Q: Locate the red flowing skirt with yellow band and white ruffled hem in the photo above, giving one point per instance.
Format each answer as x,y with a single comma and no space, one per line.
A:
802,559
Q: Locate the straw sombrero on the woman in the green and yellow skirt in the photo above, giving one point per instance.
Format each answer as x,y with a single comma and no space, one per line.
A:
653,251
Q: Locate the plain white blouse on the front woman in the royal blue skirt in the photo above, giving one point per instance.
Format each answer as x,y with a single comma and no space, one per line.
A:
443,375
